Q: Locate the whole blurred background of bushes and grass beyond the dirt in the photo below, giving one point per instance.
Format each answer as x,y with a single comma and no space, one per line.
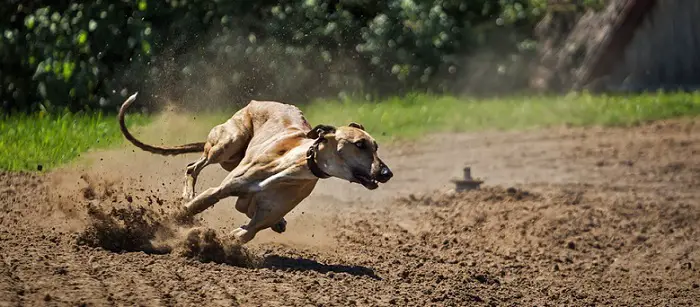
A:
403,67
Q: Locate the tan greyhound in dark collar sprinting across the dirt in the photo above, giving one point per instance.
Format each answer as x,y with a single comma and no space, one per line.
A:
274,159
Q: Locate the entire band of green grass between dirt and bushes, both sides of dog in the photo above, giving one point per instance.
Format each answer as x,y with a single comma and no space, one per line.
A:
28,141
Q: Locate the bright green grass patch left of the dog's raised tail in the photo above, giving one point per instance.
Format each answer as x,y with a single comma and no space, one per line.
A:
30,141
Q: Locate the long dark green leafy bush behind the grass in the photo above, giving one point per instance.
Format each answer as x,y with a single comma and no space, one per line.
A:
81,56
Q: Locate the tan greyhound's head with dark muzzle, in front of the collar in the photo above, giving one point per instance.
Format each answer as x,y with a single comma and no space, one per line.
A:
351,154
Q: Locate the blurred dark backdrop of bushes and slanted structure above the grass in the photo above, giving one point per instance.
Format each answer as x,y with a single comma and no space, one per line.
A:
204,53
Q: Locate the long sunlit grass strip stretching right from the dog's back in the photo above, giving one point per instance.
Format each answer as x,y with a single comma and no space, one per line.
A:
415,115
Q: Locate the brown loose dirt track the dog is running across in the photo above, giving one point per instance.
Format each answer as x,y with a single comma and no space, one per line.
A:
567,217
